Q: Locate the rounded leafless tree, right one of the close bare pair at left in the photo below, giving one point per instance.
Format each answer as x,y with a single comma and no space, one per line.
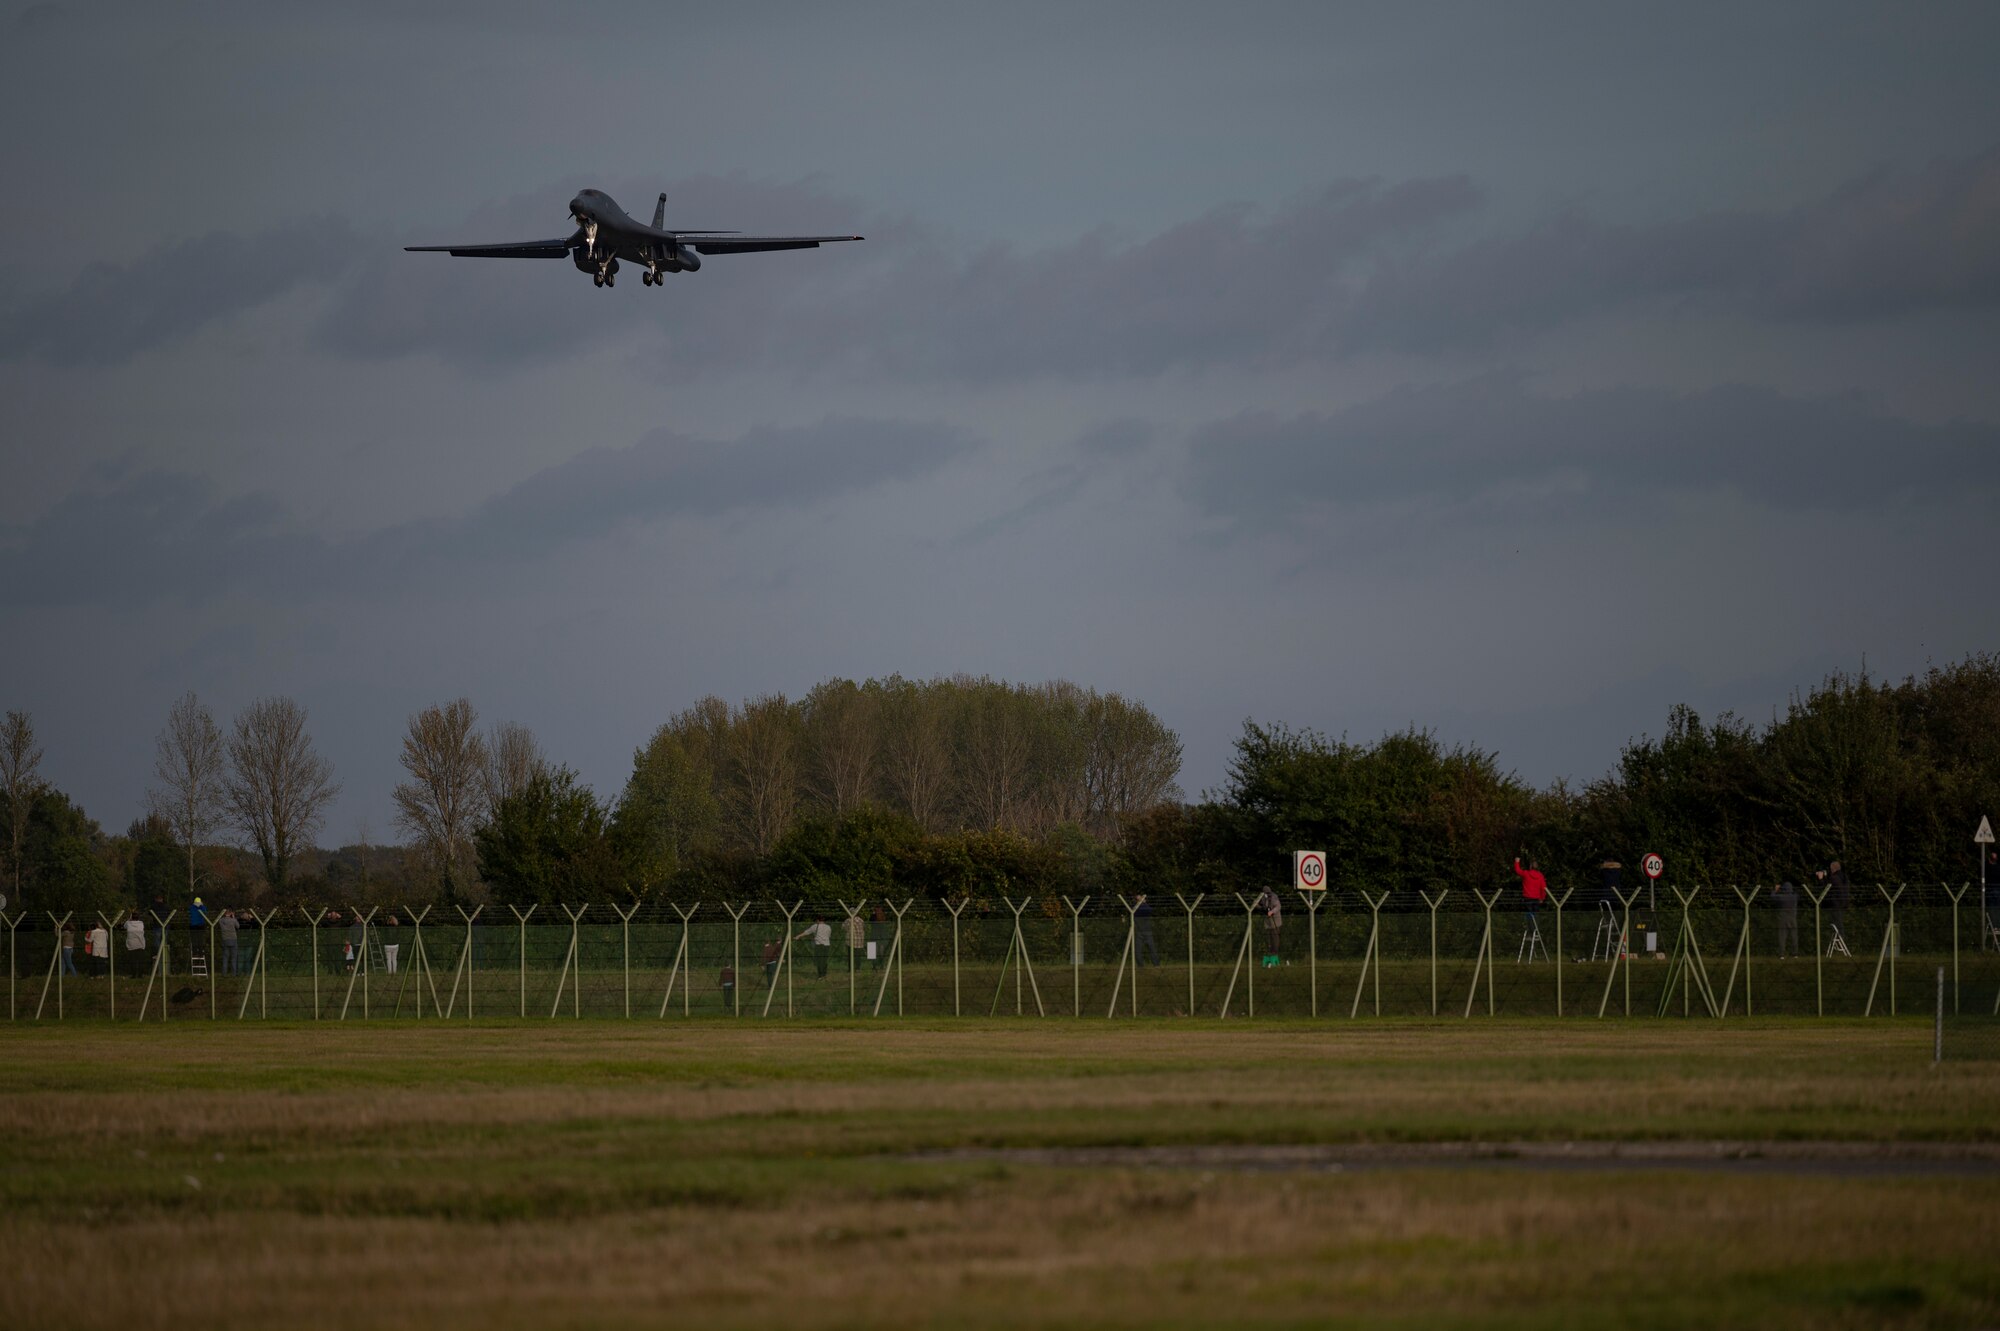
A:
279,784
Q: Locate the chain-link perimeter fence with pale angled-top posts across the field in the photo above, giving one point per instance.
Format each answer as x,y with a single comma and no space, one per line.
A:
1717,952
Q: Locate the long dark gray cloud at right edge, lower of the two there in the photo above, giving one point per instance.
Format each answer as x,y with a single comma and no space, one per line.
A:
1483,437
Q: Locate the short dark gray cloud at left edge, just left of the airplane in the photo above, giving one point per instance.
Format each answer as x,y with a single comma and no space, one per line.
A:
111,313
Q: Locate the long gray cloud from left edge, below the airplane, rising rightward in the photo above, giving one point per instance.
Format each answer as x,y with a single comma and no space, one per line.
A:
135,539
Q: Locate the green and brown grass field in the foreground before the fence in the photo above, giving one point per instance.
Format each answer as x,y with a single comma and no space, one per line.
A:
851,1174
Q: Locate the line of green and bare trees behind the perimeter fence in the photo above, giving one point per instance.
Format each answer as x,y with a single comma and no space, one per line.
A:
973,784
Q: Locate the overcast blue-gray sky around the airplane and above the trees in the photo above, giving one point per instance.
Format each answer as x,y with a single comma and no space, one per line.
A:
1515,371
